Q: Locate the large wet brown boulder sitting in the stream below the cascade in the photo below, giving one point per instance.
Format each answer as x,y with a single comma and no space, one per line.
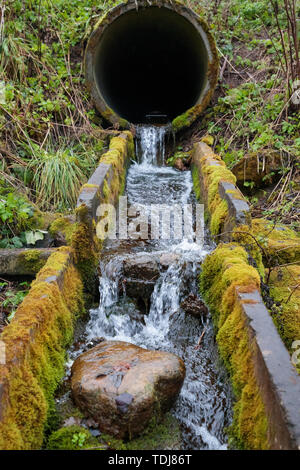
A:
122,386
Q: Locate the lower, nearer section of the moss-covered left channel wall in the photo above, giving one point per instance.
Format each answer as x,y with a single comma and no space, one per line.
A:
35,351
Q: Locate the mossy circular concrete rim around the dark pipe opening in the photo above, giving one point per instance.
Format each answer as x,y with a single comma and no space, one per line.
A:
185,119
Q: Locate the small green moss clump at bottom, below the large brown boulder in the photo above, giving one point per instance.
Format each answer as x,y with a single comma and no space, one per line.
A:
72,438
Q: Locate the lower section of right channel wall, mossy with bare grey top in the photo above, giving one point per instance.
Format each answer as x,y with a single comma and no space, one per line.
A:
267,398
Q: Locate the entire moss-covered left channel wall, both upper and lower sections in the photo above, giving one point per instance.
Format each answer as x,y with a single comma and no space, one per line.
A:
42,328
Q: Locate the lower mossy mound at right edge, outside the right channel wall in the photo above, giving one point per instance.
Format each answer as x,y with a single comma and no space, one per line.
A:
284,285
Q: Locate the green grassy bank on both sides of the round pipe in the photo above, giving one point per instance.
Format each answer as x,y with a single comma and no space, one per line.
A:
49,129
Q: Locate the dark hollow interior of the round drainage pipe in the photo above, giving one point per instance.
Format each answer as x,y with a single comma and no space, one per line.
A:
150,61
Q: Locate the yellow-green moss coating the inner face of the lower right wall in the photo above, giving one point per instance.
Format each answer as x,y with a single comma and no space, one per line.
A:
223,271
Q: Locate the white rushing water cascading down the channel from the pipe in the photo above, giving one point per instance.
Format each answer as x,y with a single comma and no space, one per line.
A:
203,406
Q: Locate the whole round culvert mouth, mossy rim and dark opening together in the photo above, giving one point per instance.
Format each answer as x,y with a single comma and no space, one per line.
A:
154,62
